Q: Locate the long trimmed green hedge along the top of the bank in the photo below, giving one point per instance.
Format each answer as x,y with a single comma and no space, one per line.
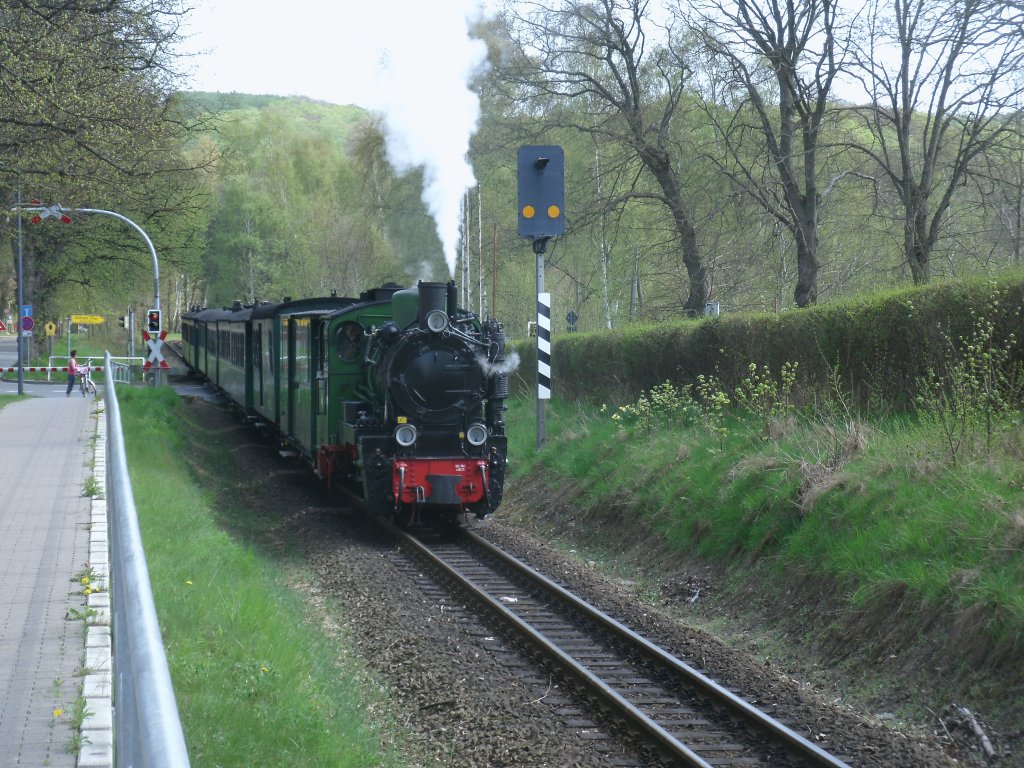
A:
881,345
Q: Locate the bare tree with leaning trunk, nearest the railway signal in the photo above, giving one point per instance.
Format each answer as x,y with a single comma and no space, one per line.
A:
625,91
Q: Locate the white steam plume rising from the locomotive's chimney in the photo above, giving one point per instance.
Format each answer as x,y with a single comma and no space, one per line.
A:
429,110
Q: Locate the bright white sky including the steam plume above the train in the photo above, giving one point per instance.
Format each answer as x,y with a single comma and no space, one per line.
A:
410,61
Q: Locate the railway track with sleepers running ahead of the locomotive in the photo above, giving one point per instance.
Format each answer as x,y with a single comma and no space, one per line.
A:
686,716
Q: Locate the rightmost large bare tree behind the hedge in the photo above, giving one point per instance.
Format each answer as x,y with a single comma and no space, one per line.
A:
942,78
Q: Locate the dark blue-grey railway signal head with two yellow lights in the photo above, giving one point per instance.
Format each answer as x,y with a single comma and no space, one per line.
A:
542,191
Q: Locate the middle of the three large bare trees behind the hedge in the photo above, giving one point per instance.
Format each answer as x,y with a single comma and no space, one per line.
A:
783,55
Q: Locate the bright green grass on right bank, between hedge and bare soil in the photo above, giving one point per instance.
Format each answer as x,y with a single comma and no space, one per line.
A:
899,515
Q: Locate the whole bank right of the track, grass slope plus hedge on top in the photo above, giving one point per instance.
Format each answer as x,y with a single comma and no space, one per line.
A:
861,525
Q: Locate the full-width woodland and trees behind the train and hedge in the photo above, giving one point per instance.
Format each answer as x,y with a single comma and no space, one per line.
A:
710,158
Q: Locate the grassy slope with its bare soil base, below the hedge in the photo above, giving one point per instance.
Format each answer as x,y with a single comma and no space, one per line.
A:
866,539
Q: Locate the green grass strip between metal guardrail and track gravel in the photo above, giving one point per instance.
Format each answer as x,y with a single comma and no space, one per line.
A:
257,684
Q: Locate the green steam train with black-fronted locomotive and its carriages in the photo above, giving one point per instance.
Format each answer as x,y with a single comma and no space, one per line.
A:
397,396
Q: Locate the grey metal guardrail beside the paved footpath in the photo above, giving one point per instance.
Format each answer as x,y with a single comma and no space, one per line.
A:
147,728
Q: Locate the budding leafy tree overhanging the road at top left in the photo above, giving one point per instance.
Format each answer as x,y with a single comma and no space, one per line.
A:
88,119
